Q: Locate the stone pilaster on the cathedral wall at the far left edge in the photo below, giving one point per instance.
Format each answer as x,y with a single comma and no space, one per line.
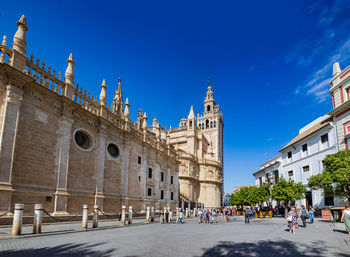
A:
9,118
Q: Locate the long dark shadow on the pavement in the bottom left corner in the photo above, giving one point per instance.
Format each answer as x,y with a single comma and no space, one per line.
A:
62,250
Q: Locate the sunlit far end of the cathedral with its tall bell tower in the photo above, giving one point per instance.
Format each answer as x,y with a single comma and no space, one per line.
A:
199,142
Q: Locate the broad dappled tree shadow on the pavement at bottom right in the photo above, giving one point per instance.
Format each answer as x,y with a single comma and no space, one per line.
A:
268,248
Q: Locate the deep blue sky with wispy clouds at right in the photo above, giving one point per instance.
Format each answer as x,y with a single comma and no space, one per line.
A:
270,62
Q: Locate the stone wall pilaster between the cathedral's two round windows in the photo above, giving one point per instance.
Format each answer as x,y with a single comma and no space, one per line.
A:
100,165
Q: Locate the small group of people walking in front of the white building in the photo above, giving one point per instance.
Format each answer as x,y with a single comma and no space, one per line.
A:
303,213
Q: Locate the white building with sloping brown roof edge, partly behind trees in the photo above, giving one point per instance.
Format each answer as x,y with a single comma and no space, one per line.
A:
303,157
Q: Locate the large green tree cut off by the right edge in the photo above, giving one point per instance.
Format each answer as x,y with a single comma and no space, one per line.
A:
336,176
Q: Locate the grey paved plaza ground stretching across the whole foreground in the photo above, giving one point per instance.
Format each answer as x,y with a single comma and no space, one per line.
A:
259,238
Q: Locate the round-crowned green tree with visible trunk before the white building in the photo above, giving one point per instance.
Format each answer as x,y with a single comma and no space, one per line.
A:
287,191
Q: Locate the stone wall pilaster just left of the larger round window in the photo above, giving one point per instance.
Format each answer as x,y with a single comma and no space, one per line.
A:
62,163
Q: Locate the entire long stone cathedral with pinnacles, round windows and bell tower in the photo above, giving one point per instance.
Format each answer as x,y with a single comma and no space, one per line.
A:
63,147
